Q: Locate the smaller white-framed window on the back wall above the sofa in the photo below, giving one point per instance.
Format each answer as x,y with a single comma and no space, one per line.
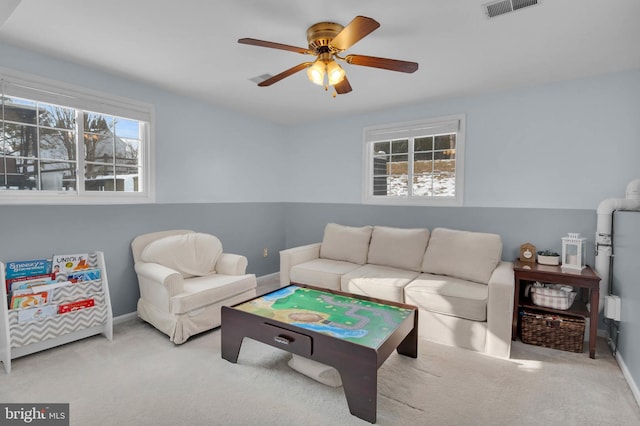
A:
415,163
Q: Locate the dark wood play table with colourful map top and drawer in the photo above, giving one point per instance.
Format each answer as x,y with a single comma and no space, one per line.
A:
354,334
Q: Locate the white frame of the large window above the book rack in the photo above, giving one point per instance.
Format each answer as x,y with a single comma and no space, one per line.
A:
49,91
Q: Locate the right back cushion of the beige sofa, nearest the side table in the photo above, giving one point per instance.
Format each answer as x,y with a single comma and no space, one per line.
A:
462,254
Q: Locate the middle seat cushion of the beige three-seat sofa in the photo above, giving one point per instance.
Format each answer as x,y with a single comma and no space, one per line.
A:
382,282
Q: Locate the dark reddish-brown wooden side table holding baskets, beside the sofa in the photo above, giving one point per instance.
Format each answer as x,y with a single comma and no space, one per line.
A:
586,279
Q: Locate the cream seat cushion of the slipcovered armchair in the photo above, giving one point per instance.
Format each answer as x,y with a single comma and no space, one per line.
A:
199,292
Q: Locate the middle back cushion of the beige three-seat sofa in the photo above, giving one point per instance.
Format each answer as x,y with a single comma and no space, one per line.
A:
398,247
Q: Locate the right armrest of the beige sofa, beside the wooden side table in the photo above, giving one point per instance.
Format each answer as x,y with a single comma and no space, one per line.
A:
500,310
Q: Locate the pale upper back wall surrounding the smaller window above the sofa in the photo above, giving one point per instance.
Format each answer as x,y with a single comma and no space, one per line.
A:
565,145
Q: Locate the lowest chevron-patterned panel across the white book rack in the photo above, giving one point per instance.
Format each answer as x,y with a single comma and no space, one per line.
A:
23,334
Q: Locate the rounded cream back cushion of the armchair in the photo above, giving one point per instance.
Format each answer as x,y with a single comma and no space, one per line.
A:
191,255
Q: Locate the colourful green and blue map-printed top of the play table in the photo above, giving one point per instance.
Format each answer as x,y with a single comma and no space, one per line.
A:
359,321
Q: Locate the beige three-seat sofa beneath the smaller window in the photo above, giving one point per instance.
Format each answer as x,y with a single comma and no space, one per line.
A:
463,290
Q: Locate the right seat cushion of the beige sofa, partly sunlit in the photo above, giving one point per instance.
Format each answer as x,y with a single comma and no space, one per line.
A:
449,296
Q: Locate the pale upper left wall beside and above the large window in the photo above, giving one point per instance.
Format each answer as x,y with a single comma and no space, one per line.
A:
203,153
